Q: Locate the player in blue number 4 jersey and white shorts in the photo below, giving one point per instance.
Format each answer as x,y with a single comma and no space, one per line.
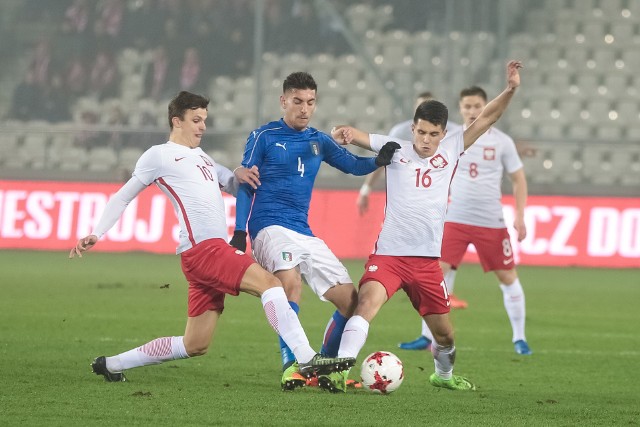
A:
288,154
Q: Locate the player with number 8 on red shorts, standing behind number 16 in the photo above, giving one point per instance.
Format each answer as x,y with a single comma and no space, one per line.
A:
475,217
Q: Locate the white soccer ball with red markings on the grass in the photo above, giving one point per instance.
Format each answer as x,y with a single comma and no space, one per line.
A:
381,372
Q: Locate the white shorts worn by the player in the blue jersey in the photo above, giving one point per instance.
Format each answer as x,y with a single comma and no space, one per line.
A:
276,248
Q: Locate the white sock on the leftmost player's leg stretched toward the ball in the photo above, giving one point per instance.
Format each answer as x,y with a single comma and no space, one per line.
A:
285,322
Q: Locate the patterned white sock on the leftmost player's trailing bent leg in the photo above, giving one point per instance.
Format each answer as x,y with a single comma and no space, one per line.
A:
154,352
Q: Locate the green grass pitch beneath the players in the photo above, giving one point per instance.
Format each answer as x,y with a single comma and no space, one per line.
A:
57,314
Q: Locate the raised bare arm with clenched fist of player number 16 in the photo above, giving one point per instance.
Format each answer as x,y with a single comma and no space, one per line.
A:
494,109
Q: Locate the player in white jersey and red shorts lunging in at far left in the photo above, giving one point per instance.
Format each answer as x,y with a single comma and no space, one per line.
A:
192,181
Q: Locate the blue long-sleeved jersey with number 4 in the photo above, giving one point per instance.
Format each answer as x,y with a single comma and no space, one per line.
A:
288,161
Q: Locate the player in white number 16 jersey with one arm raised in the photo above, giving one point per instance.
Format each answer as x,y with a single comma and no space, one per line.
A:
408,247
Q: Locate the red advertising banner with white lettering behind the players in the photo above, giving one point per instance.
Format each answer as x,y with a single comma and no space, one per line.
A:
562,231
